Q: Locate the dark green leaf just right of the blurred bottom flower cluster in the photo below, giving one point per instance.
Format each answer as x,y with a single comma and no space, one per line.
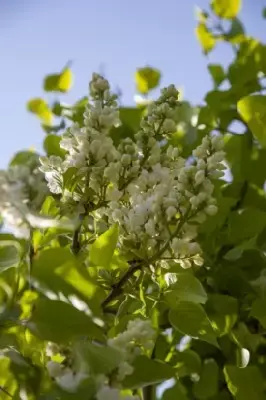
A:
147,372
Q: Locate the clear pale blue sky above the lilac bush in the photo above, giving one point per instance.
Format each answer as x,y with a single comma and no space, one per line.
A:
39,37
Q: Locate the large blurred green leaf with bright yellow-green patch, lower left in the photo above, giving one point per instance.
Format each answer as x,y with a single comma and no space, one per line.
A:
59,271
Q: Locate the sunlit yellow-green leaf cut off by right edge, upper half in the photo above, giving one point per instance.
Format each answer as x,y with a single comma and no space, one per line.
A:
253,111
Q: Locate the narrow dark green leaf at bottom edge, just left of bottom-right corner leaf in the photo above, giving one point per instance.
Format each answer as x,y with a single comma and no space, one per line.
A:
207,386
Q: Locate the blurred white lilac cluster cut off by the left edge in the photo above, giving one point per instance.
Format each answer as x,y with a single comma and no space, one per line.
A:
21,188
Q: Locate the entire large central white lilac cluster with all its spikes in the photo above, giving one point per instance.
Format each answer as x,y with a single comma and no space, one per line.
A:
142,184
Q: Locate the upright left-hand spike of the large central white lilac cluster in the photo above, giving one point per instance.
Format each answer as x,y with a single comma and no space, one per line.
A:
89,149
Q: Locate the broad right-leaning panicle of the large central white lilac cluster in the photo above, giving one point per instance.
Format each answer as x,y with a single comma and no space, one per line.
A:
169,193
